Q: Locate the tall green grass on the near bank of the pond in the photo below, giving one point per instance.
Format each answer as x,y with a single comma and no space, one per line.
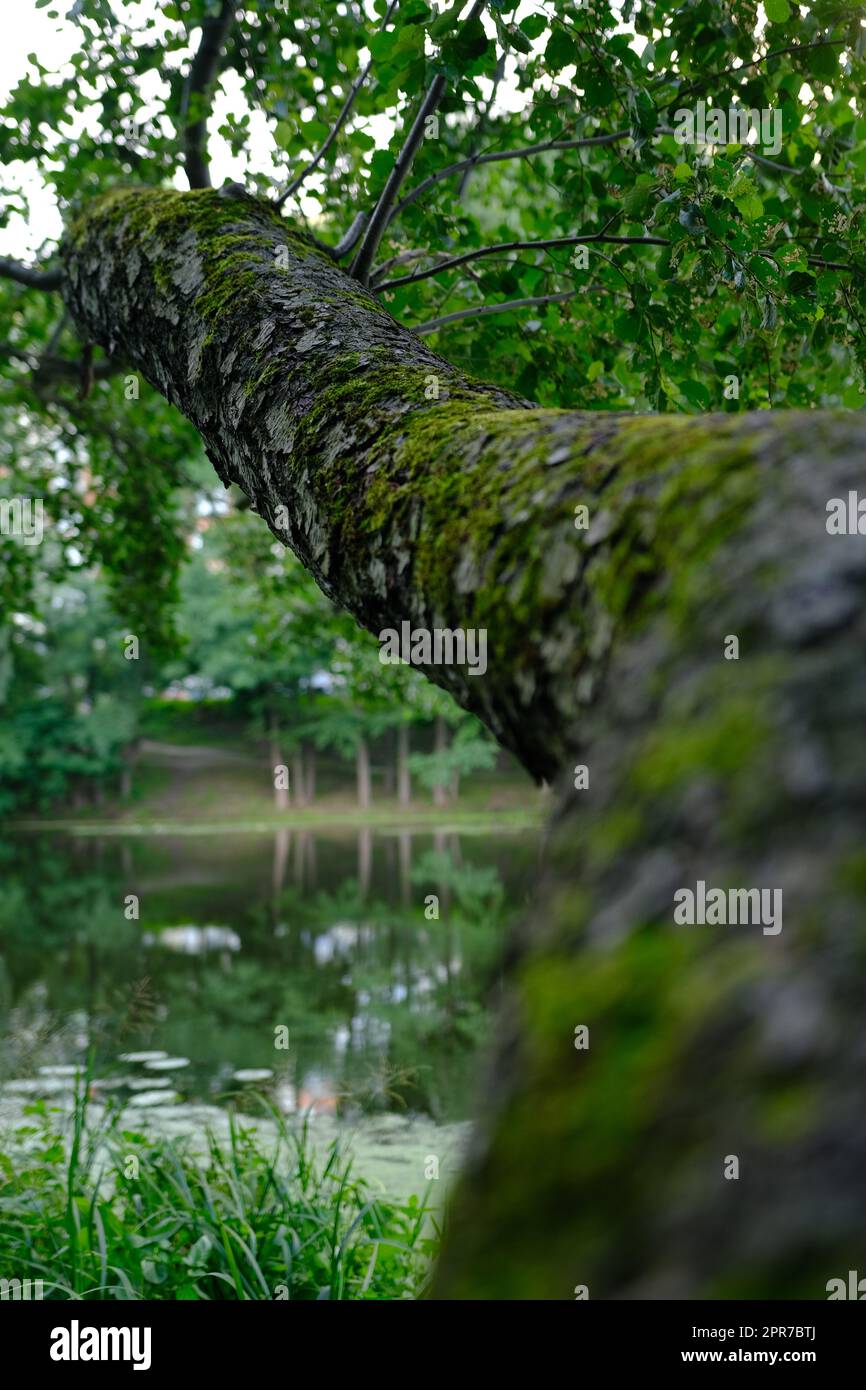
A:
111,1214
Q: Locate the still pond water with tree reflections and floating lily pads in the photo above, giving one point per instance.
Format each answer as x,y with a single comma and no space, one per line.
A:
304,965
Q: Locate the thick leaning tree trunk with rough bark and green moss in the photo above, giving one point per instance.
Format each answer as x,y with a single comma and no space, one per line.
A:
414,493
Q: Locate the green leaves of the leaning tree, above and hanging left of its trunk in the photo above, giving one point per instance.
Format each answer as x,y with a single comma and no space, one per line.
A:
747,286
